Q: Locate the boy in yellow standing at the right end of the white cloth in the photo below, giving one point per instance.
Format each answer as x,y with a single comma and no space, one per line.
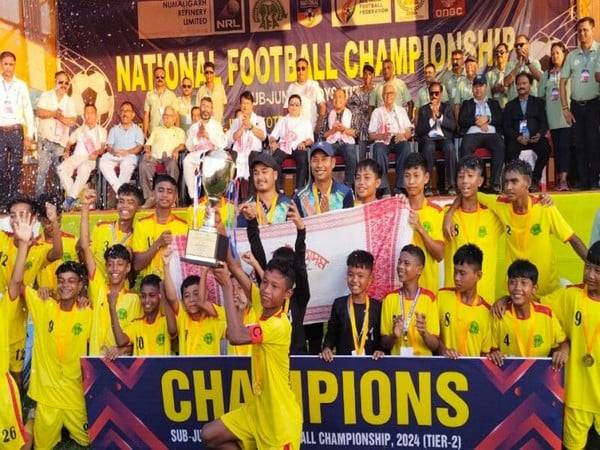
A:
426,219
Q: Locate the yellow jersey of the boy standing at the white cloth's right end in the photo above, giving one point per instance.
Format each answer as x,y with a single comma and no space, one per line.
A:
432,219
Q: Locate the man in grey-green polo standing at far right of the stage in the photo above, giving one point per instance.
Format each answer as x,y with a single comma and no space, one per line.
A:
583,113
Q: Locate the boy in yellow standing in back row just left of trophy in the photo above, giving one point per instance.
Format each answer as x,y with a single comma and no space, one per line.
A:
155,232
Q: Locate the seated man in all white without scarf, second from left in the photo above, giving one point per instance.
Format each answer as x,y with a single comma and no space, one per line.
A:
123,144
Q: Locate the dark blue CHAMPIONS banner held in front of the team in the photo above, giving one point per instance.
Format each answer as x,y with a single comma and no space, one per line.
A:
161,403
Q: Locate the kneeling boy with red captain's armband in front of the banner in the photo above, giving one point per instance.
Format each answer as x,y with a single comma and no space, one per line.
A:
272,418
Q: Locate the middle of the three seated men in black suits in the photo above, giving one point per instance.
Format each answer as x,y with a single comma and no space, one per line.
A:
480,119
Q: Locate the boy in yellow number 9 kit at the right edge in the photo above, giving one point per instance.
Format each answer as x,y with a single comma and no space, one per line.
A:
578,310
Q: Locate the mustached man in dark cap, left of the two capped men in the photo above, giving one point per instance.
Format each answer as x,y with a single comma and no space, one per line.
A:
271,207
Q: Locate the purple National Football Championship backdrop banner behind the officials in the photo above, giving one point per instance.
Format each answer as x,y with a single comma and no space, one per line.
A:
111,49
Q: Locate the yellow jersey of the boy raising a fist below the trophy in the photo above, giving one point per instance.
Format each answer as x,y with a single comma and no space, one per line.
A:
201,337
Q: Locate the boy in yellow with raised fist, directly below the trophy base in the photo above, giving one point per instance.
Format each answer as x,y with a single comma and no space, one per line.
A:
200,323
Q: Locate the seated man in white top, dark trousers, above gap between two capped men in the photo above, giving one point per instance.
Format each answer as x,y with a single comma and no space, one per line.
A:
292,136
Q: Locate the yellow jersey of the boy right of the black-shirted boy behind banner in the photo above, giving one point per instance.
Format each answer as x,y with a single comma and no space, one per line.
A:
395,305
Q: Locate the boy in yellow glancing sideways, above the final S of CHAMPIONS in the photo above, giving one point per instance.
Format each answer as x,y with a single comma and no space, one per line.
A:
465,320
